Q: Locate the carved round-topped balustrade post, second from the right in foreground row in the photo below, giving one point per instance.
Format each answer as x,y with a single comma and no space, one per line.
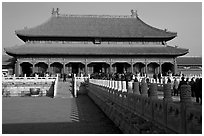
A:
167,92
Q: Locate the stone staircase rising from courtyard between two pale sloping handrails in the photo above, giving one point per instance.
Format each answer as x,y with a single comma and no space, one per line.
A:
64,89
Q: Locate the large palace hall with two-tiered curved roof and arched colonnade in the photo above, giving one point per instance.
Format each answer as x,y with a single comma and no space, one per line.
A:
95,43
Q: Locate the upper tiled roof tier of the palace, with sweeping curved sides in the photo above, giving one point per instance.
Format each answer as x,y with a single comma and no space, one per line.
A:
100,26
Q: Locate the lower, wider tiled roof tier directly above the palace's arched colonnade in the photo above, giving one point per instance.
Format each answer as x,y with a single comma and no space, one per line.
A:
94,49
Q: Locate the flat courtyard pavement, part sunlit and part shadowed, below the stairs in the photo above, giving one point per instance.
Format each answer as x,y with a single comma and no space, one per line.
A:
43,115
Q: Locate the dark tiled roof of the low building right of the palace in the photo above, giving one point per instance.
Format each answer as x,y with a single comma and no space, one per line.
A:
189,61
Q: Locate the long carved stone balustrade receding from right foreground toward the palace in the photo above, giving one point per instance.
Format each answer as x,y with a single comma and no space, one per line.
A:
135,111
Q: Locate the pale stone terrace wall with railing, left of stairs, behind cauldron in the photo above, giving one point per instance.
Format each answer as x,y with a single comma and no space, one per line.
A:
17,86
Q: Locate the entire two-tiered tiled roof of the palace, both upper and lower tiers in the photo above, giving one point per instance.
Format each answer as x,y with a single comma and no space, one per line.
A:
88,28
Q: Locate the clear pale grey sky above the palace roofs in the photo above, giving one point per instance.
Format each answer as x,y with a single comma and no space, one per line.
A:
185,18
